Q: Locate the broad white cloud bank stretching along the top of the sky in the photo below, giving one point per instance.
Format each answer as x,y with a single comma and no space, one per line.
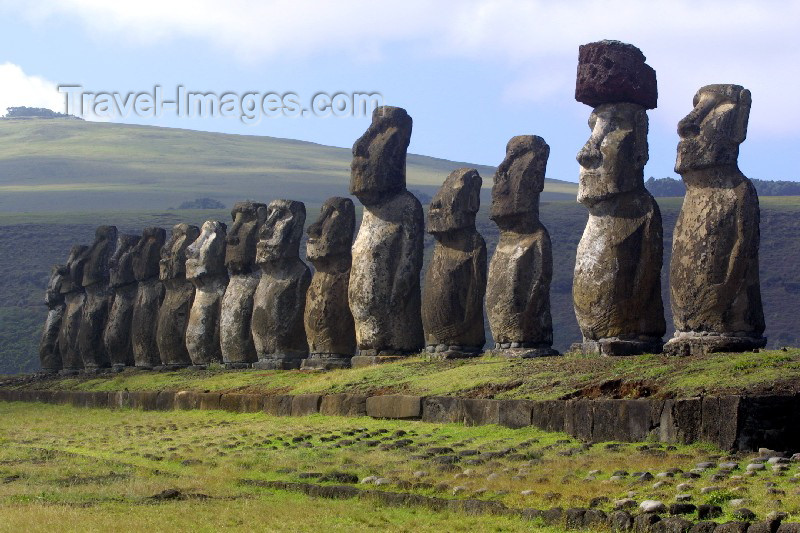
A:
532,43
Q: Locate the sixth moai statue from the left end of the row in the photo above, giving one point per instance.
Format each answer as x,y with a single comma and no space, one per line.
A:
173,315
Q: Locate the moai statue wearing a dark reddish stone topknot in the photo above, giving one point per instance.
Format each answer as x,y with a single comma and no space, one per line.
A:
617,285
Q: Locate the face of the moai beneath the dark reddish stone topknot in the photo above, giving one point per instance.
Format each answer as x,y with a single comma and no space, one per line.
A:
612,160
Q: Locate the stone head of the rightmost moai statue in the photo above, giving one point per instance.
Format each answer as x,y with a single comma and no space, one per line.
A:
712,132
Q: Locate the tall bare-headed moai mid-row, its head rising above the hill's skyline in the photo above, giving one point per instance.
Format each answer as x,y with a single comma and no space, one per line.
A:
384,291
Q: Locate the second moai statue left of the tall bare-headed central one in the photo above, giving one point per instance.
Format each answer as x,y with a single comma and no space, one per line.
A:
280,299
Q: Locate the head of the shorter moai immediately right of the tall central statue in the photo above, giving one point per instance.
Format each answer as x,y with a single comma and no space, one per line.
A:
456,203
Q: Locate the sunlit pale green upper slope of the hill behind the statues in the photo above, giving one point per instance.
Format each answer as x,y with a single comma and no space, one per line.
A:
67,165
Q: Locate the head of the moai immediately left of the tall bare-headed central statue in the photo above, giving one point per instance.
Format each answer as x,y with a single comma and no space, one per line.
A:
332,234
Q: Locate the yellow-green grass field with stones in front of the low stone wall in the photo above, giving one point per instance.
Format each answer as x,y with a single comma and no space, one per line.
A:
86,469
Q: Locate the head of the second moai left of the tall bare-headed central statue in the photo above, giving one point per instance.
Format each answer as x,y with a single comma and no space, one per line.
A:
280,235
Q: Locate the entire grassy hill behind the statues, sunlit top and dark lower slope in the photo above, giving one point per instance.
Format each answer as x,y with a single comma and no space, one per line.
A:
59,179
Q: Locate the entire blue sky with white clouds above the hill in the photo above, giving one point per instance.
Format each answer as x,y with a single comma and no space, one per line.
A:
471,73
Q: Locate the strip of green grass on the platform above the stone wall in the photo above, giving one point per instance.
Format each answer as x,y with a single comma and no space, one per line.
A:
487,377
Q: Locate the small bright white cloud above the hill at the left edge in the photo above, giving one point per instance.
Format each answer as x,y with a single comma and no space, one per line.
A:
20,89
